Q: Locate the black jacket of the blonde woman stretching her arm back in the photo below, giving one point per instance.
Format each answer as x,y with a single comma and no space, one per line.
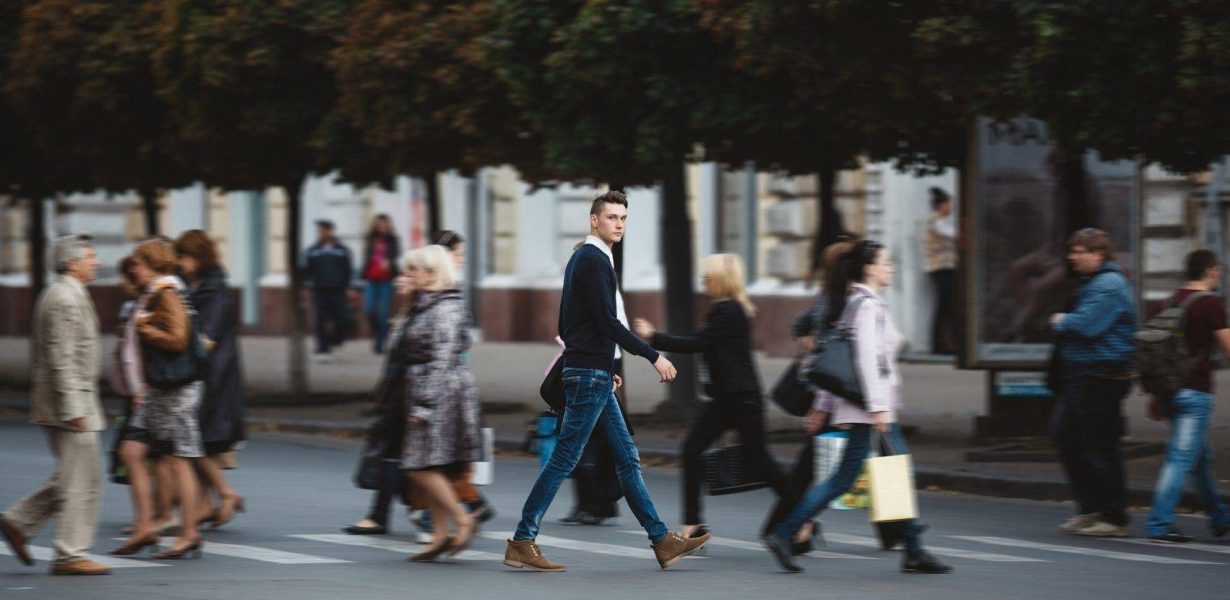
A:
726,344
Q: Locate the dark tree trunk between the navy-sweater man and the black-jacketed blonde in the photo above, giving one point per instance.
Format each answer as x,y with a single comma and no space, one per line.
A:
677,247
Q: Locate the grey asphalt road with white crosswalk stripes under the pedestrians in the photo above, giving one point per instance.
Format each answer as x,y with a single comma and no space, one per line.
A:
290,547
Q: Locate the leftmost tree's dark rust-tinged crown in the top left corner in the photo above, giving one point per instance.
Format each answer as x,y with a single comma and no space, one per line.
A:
83,81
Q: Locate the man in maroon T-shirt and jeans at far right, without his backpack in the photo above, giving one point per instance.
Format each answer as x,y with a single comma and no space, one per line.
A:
1191,409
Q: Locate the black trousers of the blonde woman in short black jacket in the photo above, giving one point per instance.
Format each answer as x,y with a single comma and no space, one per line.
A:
745,414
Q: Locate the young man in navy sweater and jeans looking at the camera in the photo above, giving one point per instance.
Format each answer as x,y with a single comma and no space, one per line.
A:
593,326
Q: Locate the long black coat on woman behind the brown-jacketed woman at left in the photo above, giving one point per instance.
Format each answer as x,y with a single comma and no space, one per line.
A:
223,404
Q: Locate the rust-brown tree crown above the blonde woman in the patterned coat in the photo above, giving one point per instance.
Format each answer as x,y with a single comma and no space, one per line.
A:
419,93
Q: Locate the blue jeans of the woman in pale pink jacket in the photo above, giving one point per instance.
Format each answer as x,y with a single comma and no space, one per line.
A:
819,499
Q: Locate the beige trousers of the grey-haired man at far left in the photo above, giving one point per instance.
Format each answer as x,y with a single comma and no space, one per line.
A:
74,492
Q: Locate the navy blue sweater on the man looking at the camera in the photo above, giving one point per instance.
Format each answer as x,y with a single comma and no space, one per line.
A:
589,323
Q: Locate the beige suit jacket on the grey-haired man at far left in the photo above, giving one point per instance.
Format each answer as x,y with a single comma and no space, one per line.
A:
66,357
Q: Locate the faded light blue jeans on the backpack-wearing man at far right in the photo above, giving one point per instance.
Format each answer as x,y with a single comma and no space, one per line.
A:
1188,453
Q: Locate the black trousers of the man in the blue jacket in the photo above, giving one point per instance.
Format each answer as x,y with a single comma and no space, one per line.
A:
1087,426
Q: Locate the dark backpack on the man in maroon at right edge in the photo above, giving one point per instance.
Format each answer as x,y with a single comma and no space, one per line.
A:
1163,360
